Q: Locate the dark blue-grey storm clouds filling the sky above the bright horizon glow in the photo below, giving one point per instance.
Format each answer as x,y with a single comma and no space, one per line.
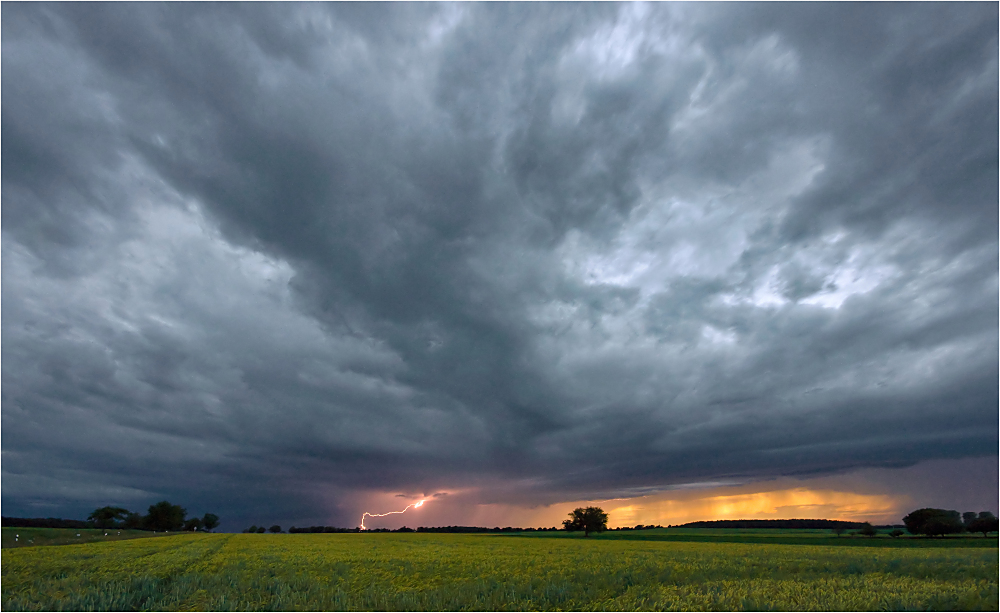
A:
281,261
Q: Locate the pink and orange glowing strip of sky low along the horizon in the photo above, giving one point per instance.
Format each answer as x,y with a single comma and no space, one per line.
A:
878,495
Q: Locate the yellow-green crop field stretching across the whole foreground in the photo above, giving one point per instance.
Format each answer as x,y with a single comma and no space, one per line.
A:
243,572
